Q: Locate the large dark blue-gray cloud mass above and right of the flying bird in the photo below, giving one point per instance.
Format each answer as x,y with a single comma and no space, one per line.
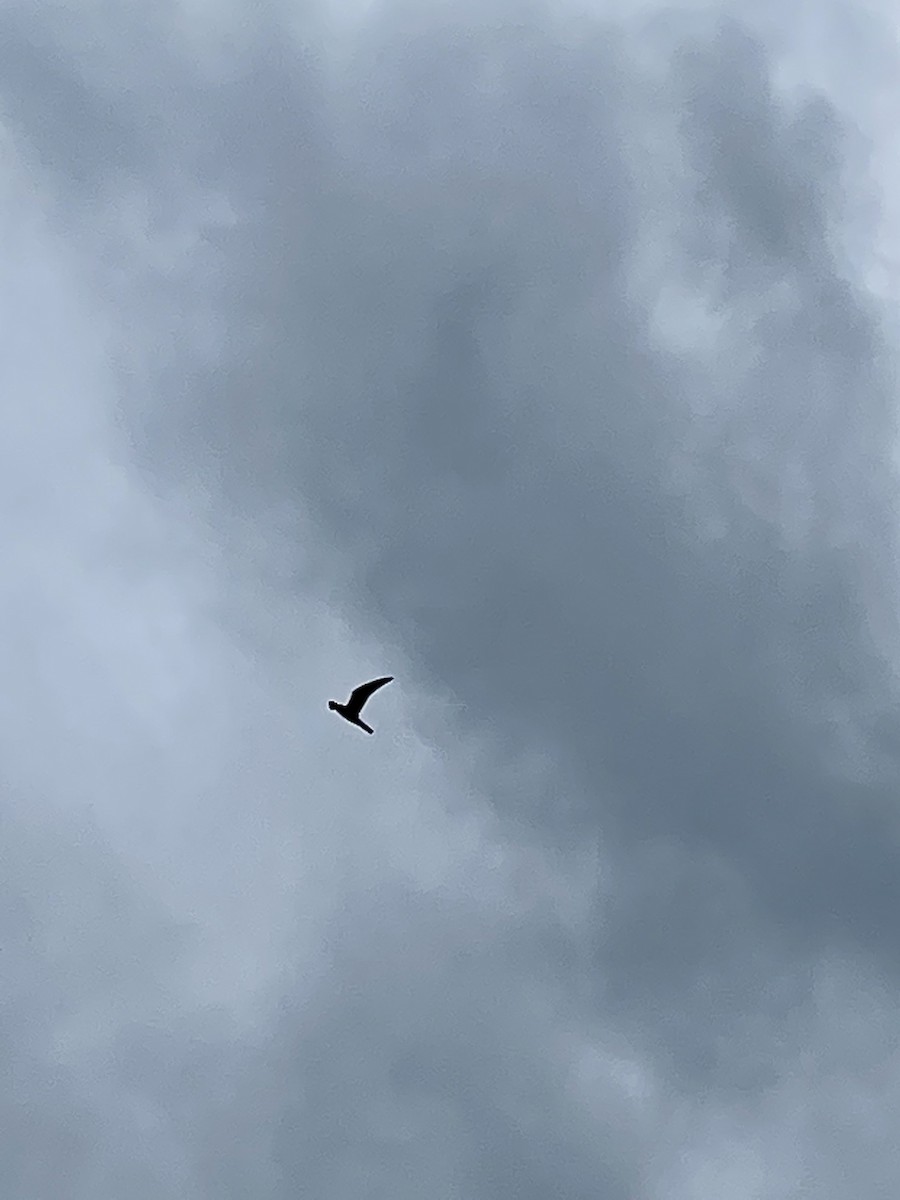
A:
457,374
